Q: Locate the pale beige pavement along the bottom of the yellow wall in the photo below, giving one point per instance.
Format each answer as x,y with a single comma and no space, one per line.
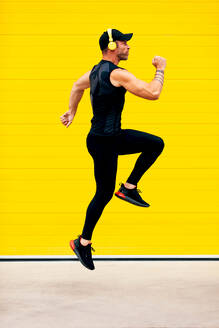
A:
116,294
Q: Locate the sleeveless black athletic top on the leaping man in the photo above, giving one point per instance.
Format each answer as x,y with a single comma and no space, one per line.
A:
107,100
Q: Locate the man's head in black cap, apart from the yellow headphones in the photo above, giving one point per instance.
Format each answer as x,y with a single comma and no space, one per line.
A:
122,48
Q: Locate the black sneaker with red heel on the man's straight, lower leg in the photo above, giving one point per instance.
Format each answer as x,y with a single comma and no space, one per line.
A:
83,253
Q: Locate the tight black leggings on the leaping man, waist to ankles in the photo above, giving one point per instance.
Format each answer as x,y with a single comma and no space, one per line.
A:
104,151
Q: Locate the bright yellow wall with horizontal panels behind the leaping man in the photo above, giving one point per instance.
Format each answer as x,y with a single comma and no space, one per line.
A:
45,46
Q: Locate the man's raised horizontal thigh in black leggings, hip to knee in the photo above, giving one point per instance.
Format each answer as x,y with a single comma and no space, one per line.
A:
134,141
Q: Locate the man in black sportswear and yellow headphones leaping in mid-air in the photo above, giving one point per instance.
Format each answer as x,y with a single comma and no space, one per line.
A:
106,139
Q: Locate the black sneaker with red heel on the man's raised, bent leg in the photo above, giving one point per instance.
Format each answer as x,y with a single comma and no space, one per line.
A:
131,195
